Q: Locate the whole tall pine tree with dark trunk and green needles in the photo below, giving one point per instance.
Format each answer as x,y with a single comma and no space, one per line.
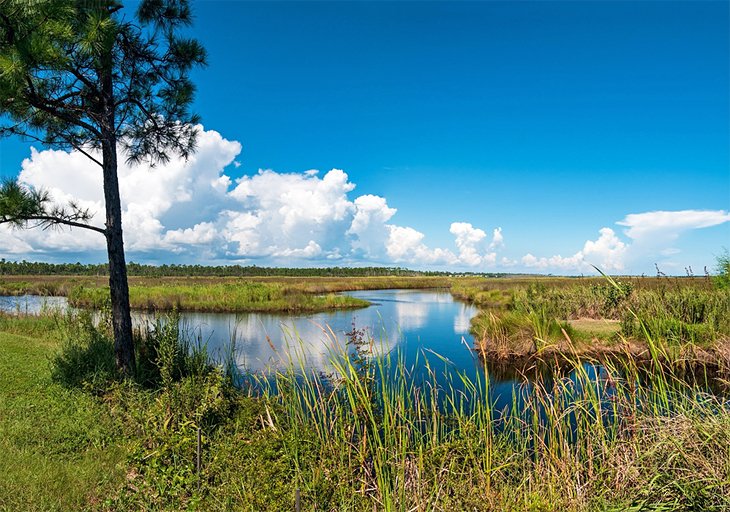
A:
88,76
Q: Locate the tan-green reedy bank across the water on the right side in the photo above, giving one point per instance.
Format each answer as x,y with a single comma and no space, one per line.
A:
687,319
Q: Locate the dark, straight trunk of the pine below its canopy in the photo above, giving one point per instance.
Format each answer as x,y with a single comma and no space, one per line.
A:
118,286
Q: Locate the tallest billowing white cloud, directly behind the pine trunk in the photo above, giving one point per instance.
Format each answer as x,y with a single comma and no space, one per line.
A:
175,196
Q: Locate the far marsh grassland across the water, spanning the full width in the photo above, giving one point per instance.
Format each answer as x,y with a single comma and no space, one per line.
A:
519,318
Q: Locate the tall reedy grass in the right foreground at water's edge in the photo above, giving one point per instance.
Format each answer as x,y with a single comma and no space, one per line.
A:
590,435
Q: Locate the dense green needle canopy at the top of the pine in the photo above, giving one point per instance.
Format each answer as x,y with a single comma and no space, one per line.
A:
73,70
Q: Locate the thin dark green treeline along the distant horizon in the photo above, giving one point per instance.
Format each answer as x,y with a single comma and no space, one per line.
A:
174,270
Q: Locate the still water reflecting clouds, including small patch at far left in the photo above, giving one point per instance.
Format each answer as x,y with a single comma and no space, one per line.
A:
415,325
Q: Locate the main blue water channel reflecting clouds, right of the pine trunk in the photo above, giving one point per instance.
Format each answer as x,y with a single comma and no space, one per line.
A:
409,321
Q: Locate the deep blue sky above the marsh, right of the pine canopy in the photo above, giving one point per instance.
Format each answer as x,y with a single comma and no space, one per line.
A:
549,120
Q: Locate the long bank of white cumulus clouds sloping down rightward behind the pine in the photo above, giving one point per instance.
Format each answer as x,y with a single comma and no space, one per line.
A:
193,209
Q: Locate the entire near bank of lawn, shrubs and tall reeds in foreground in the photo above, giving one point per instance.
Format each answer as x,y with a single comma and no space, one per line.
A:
368,439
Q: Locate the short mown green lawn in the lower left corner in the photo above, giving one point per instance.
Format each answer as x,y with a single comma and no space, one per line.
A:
60,449
